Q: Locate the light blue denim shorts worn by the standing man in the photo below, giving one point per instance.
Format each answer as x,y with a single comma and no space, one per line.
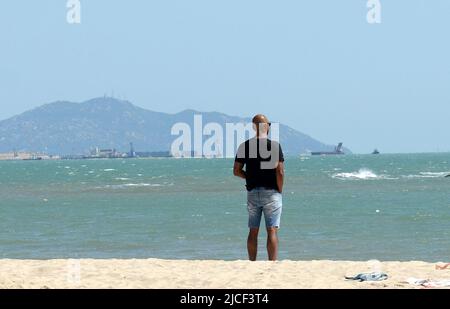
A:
267,201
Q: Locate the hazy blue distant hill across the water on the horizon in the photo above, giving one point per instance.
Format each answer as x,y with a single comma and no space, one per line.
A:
75,128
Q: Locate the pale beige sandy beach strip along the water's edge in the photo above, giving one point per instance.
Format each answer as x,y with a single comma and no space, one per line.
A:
155,273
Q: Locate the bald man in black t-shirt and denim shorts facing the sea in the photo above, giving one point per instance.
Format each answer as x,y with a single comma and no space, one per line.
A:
264,176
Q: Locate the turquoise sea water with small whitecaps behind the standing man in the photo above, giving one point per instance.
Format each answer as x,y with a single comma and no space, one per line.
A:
356,207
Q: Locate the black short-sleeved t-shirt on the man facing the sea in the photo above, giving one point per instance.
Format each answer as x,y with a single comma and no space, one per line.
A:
260,157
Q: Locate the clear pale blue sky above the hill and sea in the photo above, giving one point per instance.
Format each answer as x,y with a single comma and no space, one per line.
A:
317,66
